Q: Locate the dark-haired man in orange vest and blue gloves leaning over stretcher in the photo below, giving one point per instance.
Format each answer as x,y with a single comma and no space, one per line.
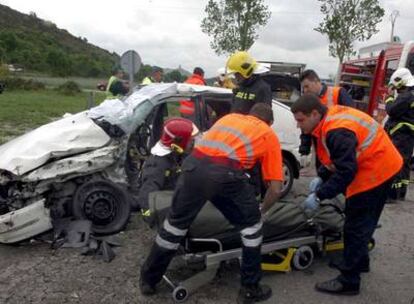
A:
358,159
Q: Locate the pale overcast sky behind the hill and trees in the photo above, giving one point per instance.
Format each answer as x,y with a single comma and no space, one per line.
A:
167,32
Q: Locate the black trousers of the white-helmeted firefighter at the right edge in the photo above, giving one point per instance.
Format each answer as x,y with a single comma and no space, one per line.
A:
404,142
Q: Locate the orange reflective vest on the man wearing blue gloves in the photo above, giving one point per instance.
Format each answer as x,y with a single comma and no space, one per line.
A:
377,158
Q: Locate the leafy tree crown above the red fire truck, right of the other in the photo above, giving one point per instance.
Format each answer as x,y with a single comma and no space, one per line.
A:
347,21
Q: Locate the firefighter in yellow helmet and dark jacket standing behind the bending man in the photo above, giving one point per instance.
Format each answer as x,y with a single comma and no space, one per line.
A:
251,88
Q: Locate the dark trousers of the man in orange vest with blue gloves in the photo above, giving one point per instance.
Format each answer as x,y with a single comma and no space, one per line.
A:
362,212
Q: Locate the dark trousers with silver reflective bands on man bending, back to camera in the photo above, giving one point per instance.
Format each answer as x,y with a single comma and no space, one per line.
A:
229,190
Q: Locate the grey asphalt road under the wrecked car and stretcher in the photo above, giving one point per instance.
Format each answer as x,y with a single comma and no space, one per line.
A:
34,273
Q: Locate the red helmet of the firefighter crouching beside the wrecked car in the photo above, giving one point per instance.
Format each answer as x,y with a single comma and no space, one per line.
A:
178,131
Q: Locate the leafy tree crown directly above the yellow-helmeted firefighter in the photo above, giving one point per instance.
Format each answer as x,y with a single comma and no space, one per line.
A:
233,24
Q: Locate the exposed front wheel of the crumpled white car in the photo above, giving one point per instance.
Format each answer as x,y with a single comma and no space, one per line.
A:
104,203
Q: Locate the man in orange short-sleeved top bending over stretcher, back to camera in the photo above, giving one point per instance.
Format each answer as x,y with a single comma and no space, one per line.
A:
215,171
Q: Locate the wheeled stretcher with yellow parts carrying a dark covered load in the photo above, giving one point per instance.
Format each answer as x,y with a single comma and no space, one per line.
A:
291,240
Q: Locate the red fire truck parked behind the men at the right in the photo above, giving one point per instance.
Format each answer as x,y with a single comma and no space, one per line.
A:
366,77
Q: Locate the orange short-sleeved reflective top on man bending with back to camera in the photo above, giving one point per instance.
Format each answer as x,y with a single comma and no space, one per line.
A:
245,139
